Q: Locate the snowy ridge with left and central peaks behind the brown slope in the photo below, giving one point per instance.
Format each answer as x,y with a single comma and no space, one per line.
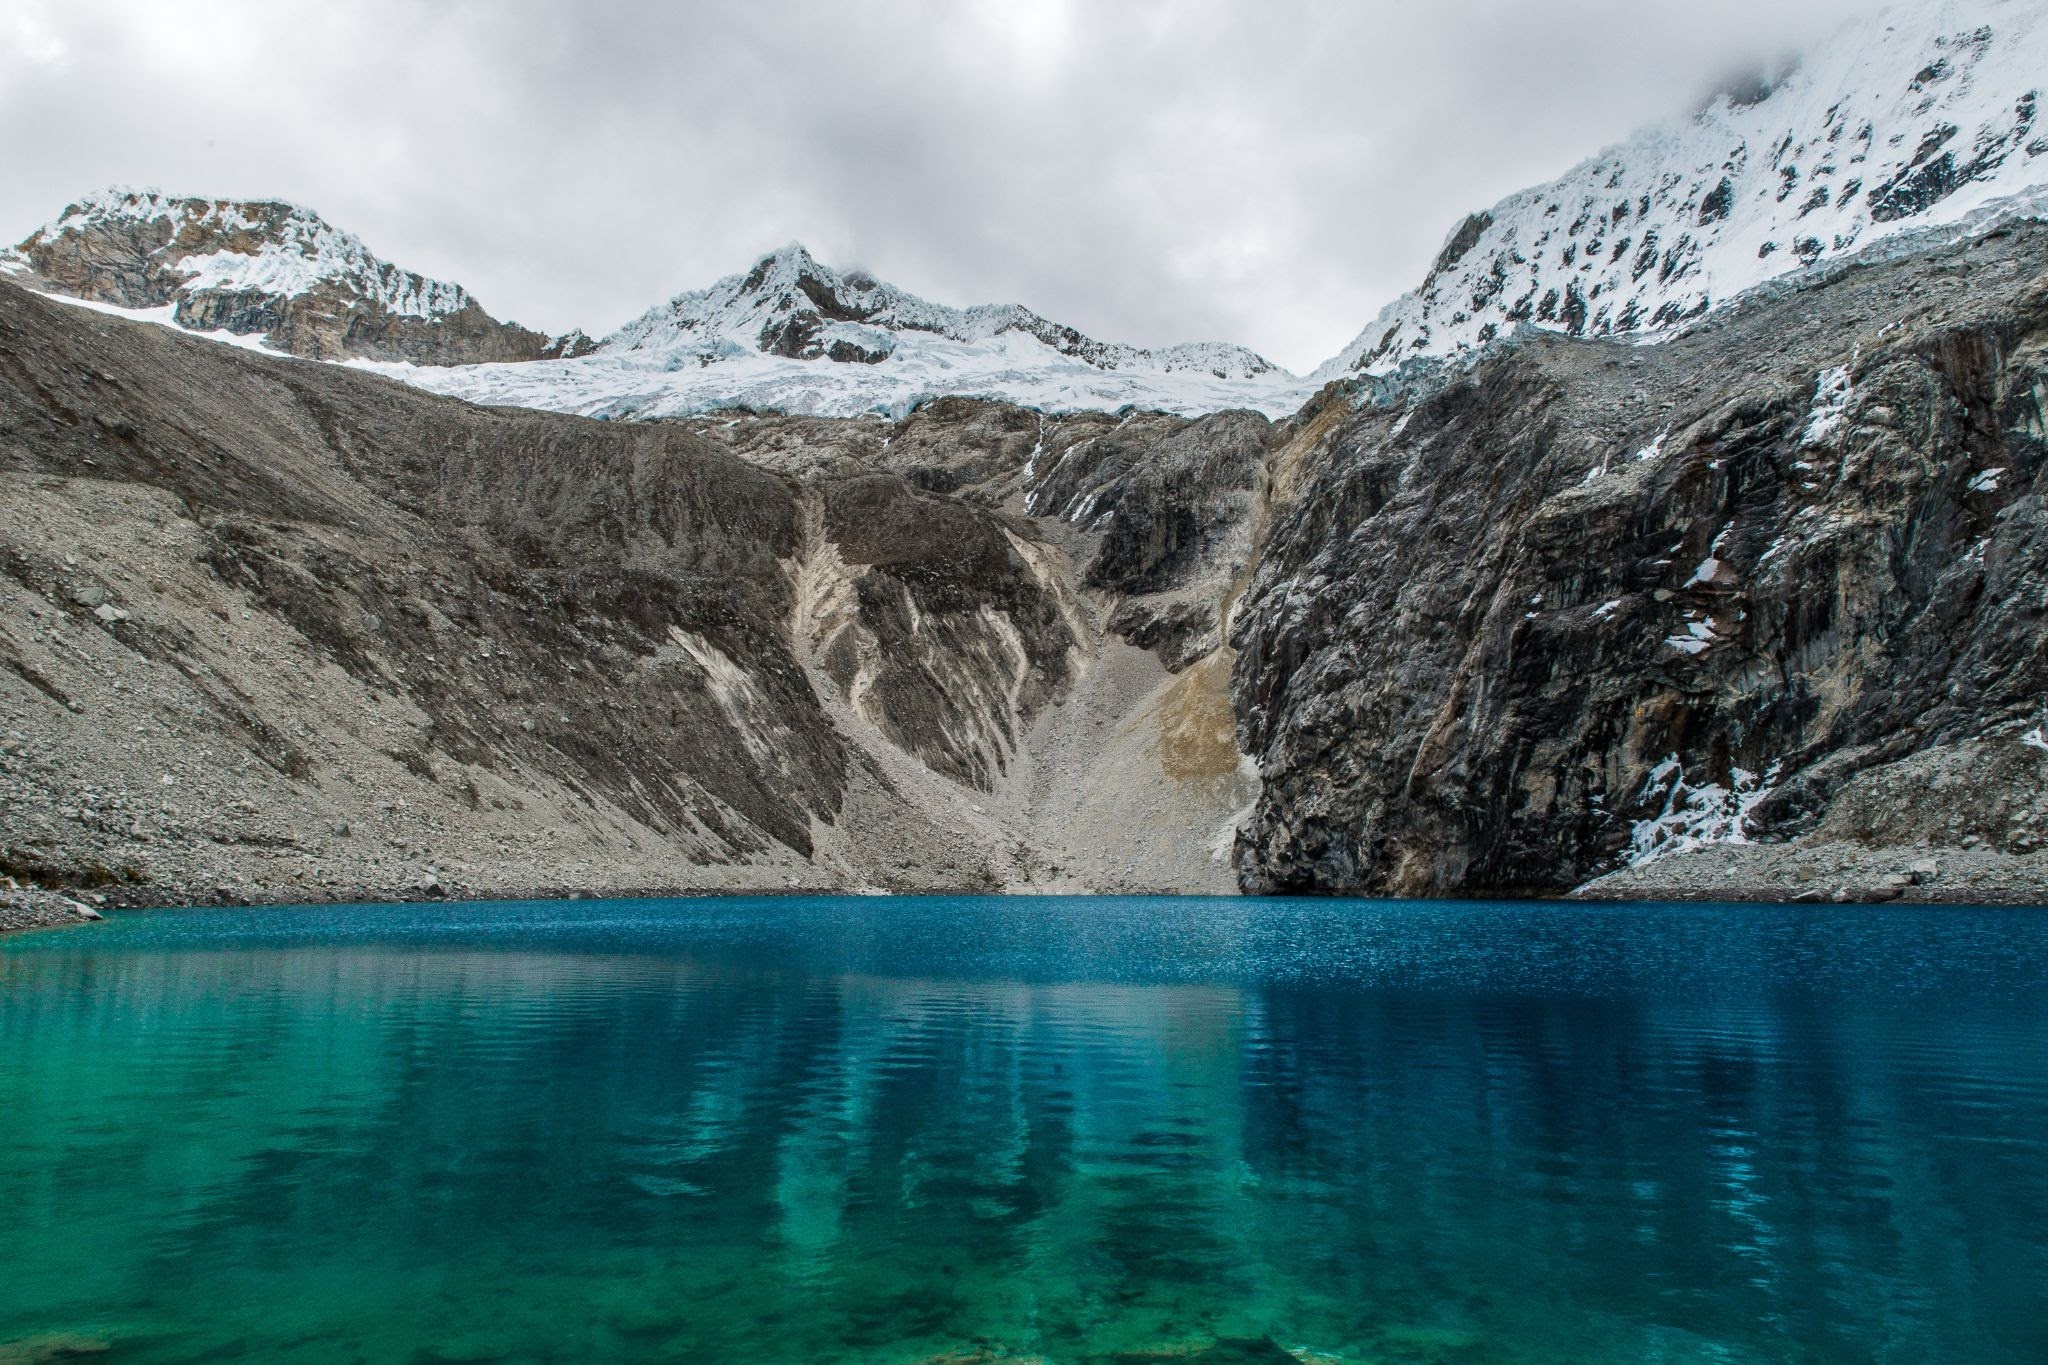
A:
790,335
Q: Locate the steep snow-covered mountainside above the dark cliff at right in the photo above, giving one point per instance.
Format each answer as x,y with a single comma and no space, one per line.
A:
1922,118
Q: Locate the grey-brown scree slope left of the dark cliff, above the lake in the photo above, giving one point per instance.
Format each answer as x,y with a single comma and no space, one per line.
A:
282,629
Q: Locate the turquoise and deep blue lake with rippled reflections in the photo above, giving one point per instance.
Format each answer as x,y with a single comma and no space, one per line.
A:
1066,1131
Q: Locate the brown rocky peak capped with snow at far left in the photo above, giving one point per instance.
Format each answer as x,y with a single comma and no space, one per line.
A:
263,269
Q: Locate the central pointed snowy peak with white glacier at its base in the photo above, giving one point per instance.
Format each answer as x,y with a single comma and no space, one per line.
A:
792,335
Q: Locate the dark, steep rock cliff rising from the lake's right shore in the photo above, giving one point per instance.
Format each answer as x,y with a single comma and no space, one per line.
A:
1588,599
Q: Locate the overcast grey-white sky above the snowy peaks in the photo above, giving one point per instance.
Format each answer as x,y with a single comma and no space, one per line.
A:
1265,173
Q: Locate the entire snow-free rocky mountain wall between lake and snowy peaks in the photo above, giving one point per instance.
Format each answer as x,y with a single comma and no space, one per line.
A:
1750,613
